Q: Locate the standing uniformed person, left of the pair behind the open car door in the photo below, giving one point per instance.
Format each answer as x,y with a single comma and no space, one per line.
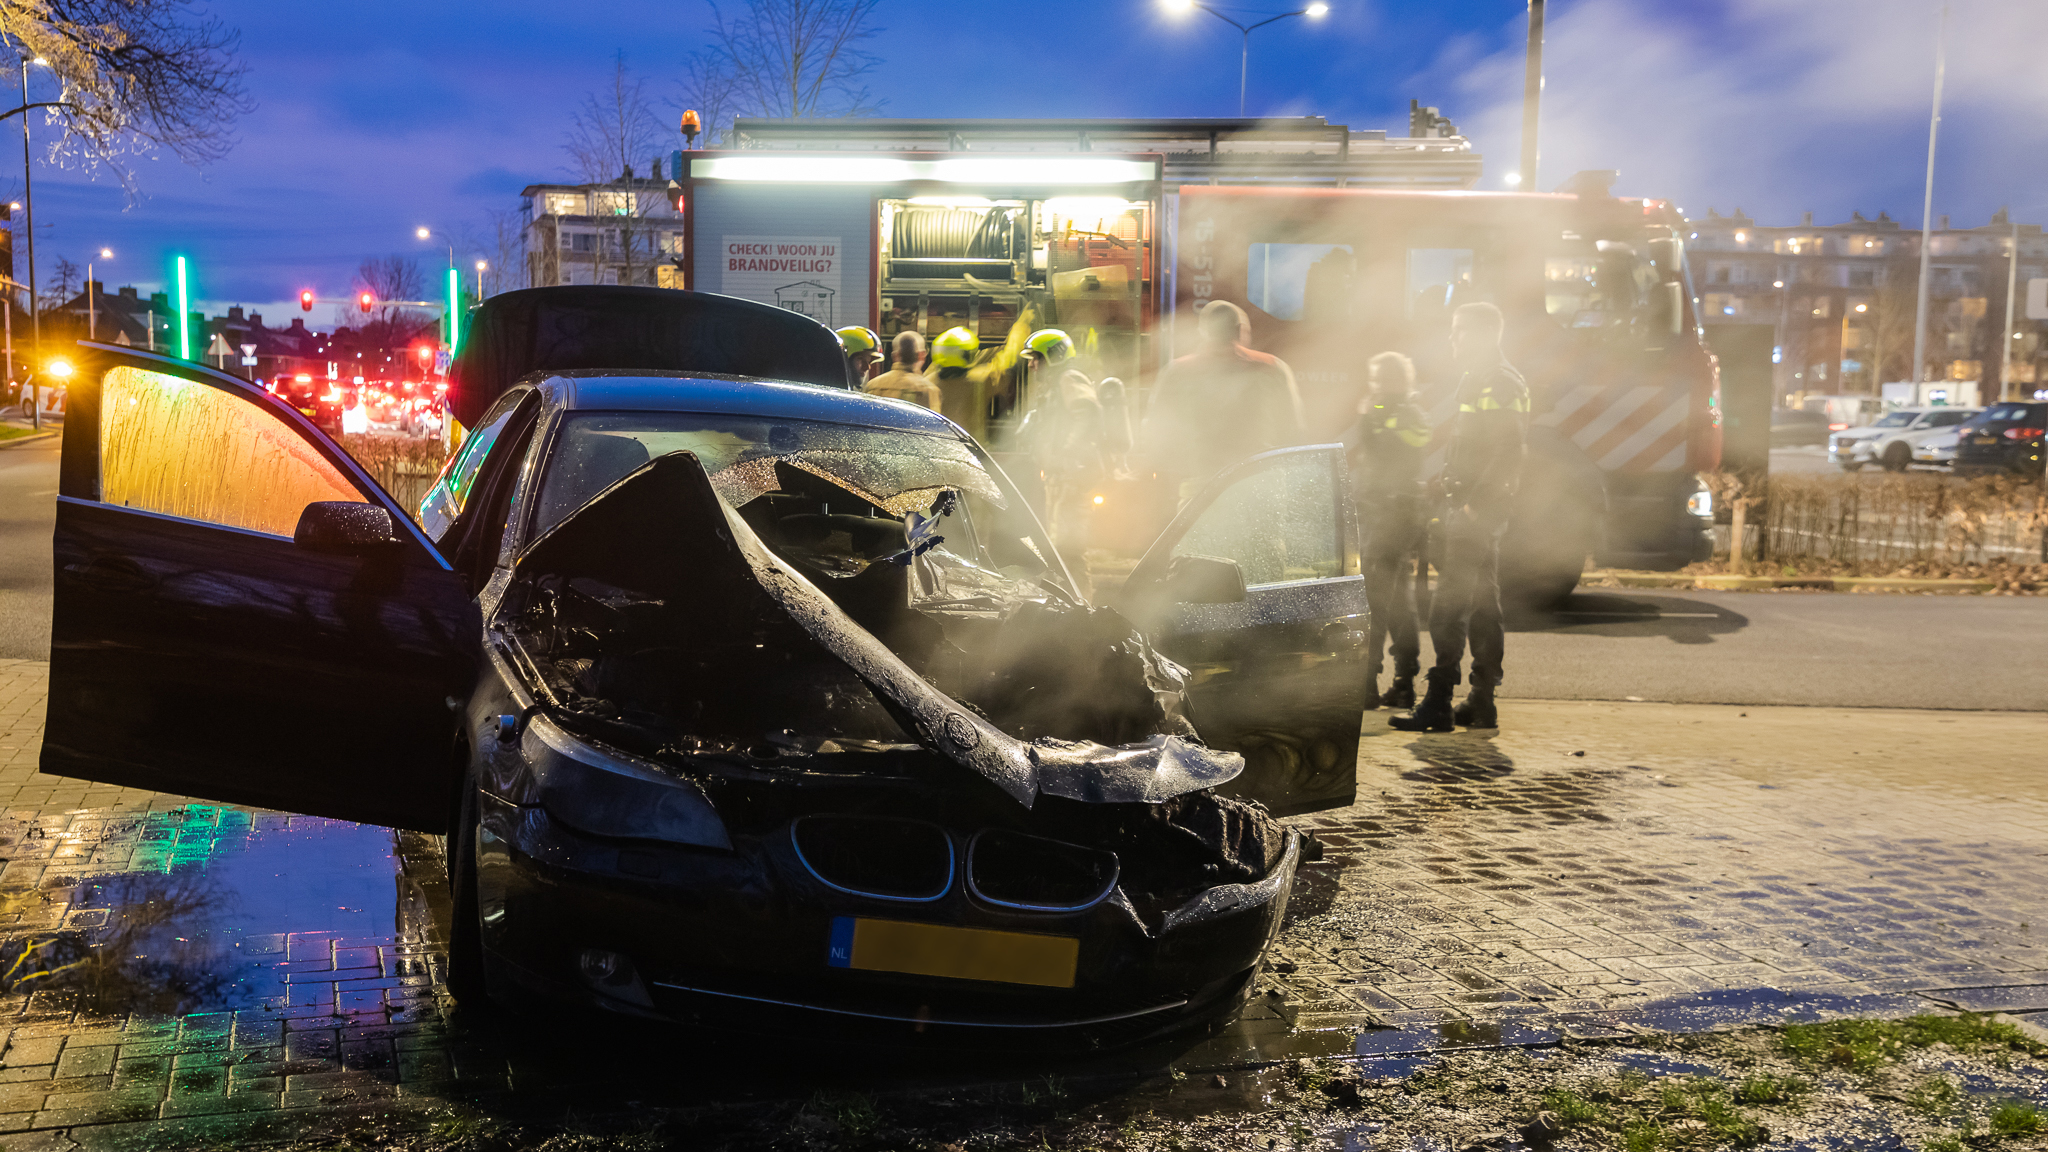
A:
1388,452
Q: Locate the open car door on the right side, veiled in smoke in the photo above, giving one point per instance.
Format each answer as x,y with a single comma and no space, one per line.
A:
1279,675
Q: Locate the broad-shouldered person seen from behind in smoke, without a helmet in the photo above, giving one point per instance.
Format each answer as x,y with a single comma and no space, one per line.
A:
1220,405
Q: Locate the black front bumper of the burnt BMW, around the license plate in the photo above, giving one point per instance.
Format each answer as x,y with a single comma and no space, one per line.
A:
742,940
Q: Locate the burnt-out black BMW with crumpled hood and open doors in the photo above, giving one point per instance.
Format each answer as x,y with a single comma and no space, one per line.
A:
736,698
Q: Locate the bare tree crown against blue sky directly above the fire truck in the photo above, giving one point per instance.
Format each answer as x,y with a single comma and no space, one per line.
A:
785,58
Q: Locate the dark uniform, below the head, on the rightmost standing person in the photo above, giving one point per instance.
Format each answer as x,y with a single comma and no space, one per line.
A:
1482,475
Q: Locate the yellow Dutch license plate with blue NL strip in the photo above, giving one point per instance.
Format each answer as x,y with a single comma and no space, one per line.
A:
962,954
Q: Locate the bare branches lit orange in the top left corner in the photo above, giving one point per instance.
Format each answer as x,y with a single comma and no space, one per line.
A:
134,75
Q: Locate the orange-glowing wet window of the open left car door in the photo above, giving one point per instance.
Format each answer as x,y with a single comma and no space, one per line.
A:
196,452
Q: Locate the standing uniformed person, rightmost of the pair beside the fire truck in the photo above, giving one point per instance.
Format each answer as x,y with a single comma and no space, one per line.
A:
1482,472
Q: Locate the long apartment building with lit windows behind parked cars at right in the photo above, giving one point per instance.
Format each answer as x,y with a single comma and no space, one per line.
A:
1842,298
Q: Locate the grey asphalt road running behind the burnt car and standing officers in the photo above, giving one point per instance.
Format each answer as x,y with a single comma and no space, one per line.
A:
1795,649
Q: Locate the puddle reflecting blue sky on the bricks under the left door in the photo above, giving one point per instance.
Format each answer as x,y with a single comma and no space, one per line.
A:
200,919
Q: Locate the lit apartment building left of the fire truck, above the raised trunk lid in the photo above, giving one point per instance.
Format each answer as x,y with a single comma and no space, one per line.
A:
624,233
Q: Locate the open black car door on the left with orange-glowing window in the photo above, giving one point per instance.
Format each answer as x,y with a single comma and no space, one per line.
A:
200,651
